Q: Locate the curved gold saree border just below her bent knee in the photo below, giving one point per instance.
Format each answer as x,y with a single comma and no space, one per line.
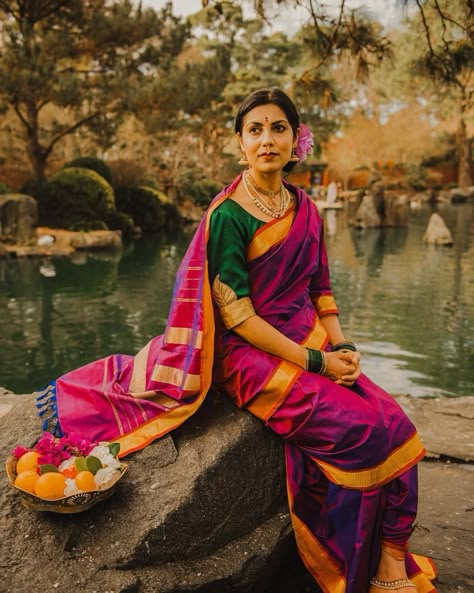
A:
409,453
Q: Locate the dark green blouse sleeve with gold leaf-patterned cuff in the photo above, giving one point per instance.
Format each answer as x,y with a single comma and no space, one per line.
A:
226,251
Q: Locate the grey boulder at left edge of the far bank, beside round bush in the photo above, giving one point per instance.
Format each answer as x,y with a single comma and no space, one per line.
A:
18,217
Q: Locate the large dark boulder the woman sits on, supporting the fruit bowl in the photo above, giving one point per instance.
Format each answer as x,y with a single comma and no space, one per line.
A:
202,511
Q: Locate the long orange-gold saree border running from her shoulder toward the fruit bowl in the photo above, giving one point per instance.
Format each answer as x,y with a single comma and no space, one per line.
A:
159,426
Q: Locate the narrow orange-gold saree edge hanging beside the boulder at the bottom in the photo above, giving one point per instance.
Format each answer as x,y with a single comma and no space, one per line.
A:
315,557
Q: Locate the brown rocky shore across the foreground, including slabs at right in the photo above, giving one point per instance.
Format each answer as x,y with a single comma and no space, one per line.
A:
204,510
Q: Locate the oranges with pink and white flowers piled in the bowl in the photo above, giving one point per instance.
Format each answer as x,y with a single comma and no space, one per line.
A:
59,467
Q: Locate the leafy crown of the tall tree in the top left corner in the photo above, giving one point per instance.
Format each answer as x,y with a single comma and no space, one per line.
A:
90,58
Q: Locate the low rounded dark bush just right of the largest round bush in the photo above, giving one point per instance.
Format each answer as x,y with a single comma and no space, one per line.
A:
150,209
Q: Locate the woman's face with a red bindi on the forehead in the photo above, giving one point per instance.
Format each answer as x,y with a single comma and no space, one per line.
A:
267,138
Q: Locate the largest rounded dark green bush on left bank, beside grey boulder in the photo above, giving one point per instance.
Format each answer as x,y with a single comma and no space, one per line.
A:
76,199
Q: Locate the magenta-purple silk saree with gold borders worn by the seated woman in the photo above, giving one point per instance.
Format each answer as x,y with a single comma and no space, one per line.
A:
351,454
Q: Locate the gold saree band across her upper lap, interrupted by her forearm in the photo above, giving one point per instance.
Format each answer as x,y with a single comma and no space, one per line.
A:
274,393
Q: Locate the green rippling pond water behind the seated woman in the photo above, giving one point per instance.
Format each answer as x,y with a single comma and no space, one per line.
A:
409,306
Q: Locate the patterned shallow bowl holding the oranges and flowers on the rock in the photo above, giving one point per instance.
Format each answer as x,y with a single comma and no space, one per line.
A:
76,503
